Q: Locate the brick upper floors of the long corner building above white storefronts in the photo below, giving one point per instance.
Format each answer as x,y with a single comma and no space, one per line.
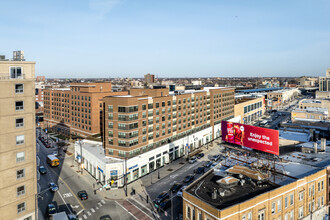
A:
149,118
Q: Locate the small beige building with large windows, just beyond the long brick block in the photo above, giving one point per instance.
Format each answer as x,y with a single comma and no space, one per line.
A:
249,108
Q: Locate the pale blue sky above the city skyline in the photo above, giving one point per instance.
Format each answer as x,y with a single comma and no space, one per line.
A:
169,38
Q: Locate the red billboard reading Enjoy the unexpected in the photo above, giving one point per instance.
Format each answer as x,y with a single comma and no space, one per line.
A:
262,139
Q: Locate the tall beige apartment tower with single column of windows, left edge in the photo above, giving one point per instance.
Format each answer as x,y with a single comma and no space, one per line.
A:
18,172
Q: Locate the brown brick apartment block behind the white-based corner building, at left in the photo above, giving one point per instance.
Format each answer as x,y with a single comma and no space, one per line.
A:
76,110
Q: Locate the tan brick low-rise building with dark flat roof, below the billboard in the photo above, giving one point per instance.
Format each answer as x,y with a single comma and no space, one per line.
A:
296,190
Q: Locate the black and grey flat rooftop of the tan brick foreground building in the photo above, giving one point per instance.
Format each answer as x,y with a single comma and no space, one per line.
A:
233,188
